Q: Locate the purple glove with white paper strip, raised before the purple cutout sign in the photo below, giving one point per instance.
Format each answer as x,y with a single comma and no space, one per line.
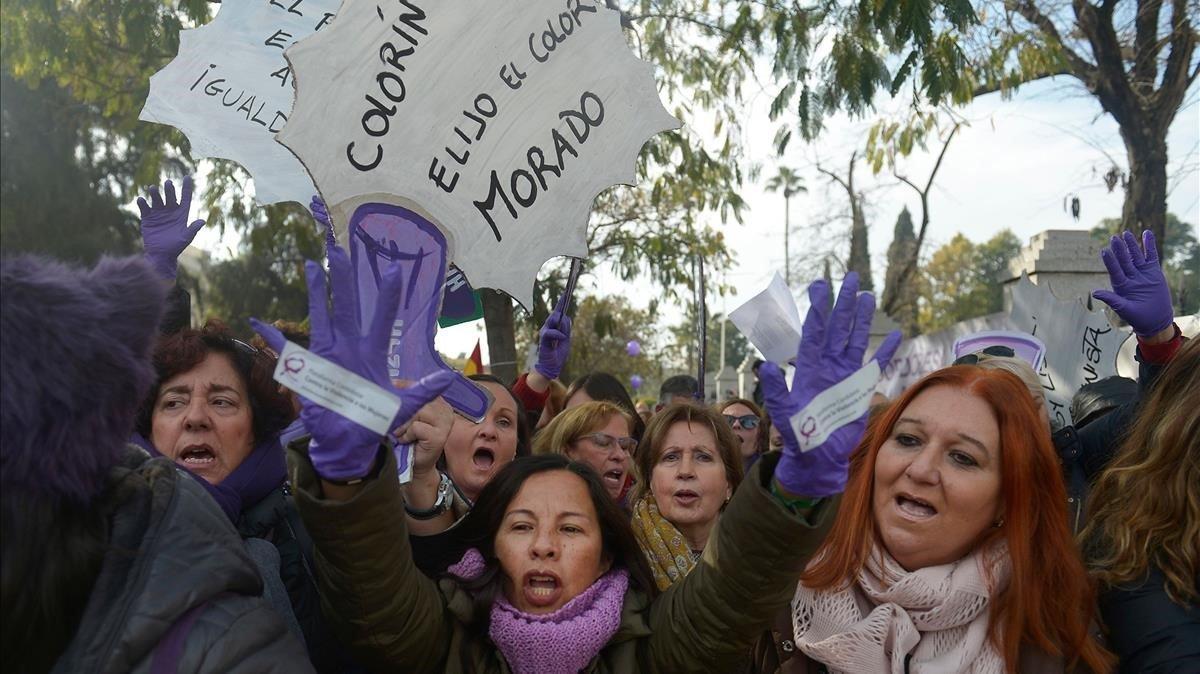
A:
341,449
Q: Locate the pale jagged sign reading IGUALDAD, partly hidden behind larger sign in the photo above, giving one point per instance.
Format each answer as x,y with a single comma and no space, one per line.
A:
230,91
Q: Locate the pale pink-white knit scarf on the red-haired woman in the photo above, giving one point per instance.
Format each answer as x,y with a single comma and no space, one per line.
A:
934,618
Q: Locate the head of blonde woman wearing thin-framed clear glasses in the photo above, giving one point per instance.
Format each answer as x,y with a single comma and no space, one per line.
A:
598,435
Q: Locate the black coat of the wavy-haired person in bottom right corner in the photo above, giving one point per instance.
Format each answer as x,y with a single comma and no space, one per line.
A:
1149,631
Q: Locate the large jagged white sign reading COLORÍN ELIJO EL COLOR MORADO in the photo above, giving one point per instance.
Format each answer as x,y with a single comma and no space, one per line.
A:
497,122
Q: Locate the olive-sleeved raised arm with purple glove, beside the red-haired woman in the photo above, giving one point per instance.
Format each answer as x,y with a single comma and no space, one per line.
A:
782,513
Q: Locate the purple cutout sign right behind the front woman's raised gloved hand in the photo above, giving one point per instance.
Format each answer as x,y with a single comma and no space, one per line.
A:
385,237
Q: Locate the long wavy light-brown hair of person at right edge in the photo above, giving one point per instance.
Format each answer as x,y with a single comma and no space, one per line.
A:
1145,508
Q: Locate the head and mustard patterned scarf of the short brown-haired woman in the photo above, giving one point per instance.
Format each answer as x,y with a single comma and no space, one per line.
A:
691,465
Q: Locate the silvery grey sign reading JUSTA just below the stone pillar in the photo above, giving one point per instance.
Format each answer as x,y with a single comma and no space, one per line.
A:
1082,345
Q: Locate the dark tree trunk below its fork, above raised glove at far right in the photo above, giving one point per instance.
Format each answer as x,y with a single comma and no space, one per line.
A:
1145,203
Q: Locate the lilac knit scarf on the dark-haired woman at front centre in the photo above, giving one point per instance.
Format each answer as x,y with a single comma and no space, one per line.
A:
563,642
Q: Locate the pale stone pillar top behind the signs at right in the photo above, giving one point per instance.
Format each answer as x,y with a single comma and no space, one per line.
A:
1066,260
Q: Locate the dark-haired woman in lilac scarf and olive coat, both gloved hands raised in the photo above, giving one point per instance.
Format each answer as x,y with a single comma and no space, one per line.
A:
553,581
